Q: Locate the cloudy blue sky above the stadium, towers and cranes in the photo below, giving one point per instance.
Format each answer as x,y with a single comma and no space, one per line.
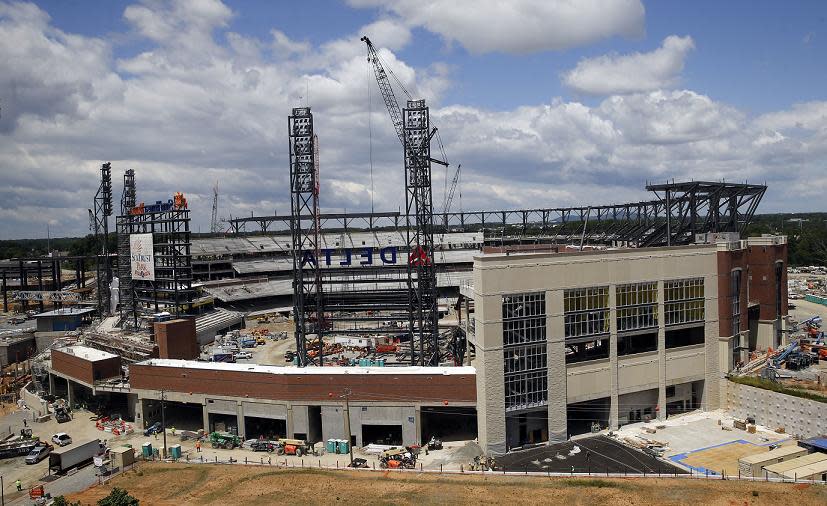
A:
544,103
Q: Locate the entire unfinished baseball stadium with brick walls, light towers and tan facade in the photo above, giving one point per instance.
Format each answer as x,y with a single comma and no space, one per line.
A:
515,327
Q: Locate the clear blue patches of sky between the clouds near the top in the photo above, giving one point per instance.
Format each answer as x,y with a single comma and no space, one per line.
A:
739,44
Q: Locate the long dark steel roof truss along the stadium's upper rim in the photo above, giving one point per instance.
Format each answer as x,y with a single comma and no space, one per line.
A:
695,207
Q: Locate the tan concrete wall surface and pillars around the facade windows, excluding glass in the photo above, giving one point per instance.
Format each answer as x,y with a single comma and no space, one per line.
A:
497,275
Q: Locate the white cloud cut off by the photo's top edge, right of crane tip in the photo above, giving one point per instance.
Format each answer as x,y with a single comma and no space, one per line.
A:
519,26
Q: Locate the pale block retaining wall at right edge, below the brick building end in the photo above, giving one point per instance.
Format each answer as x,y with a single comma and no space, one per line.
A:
800,417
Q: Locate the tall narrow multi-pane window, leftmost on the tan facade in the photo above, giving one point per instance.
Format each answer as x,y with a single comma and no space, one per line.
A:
525,358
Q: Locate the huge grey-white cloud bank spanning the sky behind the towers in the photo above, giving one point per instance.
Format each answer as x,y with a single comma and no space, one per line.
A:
201,104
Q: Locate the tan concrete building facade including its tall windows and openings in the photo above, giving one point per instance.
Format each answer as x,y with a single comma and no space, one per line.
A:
564,341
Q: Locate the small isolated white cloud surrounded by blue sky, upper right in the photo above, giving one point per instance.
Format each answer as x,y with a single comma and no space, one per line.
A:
633,73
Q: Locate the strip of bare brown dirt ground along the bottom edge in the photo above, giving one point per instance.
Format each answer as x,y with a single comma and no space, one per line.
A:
210,484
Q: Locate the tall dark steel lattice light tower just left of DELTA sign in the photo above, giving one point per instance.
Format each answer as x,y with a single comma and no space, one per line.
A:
304,205
